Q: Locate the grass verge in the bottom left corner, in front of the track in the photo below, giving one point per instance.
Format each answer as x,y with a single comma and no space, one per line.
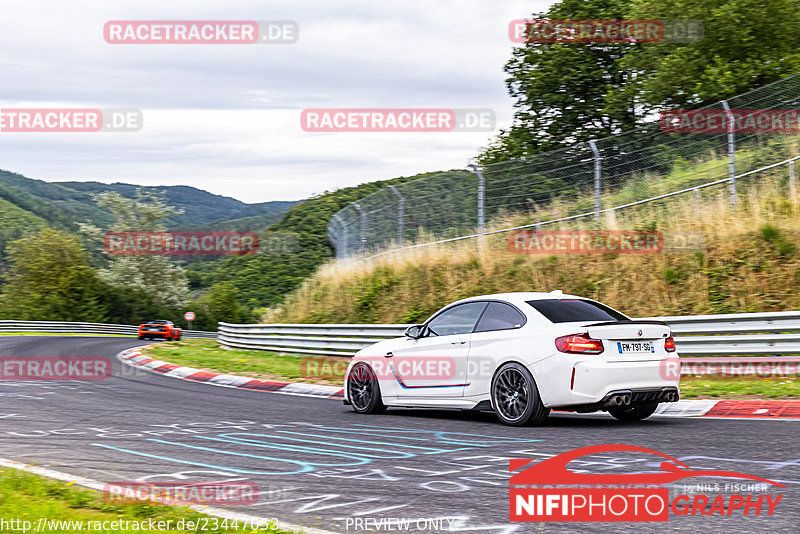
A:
28,497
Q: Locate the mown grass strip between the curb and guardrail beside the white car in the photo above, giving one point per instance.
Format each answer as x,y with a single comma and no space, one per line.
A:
205,354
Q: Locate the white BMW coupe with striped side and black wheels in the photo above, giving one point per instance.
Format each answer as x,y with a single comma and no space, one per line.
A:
521,355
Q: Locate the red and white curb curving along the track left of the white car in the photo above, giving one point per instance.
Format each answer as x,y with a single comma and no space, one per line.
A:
135,358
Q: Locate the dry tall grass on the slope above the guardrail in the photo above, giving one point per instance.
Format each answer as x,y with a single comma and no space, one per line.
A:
749,262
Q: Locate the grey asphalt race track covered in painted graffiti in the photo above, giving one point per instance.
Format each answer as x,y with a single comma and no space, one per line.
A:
320,465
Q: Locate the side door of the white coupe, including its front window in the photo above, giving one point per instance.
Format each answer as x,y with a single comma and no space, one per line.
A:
435,365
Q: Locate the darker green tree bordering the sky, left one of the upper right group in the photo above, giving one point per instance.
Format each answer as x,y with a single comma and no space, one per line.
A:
559,89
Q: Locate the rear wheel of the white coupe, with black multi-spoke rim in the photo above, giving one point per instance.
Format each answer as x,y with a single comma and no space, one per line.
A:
515,397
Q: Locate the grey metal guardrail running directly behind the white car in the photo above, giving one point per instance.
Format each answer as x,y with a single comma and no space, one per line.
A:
741,334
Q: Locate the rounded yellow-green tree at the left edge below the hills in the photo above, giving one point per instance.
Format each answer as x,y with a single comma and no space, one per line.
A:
49,279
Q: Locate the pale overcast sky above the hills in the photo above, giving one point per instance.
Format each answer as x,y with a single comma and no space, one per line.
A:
226,118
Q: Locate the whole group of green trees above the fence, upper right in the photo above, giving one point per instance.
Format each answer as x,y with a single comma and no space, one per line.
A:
569,92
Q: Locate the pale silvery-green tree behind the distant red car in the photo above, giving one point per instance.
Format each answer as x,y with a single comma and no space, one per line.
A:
157,276
